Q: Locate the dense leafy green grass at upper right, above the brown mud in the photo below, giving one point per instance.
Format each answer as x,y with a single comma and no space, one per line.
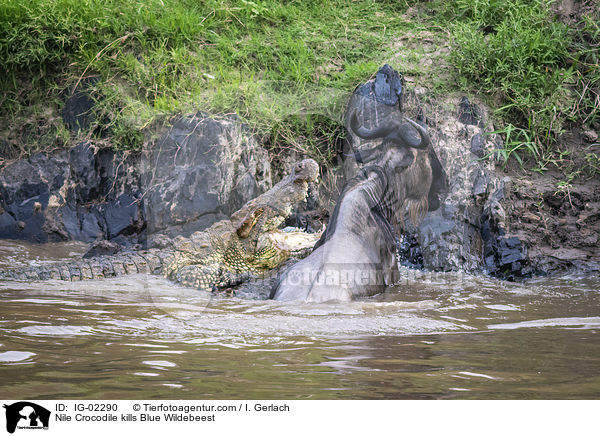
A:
542,75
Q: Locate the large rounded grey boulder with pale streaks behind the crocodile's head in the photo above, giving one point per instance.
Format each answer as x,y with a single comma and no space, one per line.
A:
200,171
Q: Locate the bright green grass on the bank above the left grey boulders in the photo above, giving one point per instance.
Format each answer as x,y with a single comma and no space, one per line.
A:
159,57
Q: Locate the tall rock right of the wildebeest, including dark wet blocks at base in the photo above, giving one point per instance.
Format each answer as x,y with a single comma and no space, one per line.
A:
469,232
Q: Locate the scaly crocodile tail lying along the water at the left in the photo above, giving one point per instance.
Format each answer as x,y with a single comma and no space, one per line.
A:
147,261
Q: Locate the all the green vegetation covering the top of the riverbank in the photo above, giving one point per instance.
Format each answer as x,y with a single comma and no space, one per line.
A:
267,60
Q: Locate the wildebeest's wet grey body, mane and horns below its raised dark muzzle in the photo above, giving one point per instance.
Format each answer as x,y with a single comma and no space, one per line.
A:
357,253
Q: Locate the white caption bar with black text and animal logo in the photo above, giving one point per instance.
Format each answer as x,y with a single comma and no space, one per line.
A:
37,418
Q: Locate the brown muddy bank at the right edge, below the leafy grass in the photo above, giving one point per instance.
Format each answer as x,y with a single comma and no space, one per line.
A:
559,223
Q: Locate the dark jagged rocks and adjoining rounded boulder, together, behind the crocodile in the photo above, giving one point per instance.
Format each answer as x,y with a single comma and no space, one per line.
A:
200,171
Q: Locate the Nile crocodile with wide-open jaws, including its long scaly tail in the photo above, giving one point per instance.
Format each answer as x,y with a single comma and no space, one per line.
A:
219,257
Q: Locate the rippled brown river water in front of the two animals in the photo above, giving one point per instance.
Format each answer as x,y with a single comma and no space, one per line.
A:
435,336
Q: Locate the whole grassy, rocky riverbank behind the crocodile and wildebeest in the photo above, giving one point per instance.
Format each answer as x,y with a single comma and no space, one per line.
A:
111,83
